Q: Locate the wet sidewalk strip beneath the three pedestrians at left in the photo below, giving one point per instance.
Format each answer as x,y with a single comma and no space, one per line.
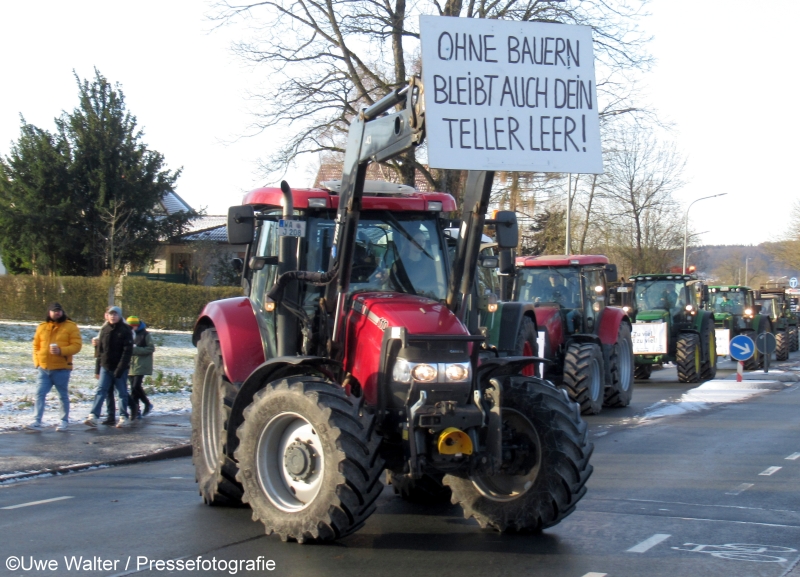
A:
26,454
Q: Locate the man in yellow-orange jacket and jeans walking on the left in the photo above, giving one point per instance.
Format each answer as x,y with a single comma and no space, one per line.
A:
54,343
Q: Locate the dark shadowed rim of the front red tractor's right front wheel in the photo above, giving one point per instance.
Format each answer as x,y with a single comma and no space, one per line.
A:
505,487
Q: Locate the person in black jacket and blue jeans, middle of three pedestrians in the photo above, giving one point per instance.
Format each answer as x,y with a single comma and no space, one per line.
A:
114,348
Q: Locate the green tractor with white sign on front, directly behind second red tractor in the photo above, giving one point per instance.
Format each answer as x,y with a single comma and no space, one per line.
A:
670,324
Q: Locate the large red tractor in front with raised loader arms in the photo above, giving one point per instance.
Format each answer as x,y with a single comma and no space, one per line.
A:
350,356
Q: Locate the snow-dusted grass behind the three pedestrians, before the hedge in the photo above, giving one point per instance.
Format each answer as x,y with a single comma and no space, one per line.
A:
173,364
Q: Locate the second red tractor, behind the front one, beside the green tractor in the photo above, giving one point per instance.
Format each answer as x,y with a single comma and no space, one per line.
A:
588,343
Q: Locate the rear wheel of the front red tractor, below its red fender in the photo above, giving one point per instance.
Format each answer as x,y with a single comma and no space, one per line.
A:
215,472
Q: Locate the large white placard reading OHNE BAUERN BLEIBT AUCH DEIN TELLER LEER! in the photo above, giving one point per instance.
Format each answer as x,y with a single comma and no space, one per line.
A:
504,95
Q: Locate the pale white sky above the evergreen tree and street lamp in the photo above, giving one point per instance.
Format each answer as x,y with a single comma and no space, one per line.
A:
722,79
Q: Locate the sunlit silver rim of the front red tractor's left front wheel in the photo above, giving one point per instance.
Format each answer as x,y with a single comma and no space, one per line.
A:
290,462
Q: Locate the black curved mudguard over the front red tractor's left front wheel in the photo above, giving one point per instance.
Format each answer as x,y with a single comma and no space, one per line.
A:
265,373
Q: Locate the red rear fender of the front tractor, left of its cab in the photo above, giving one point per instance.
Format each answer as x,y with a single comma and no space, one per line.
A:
239,336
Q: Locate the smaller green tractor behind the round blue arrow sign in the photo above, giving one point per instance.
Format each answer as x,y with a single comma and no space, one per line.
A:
736,313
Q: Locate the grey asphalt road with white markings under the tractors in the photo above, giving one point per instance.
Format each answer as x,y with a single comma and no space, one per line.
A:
706,494
